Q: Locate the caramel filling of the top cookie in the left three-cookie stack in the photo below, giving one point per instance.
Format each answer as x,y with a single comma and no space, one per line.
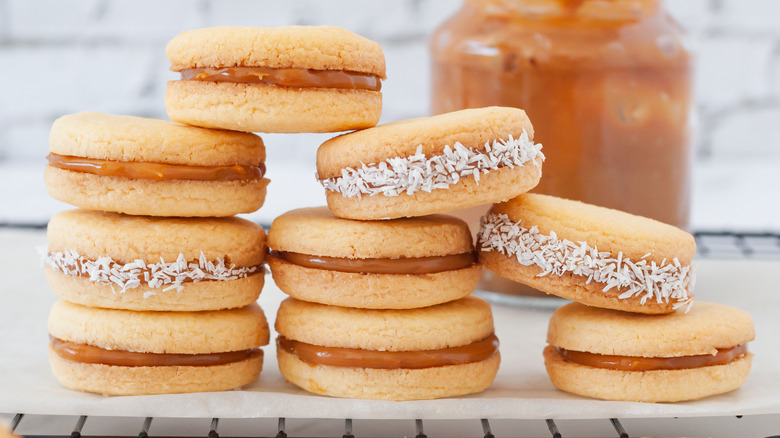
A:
156,171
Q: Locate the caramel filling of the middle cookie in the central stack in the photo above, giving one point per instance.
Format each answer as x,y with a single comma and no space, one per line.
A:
419,265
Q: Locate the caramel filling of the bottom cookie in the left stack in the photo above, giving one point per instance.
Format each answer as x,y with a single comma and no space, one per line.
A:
94,355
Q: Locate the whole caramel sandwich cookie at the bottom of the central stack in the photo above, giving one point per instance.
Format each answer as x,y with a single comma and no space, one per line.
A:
440,351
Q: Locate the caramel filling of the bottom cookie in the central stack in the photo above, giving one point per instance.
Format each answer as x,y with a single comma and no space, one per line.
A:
390,360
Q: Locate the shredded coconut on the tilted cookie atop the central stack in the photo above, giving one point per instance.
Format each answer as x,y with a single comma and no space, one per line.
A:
409,175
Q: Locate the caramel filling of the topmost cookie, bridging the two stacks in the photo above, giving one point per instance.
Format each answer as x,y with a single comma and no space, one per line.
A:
286,77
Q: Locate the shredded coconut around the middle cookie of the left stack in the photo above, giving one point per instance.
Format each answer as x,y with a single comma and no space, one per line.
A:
163,275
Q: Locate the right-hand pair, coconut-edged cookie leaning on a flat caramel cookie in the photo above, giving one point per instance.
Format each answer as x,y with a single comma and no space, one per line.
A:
633,333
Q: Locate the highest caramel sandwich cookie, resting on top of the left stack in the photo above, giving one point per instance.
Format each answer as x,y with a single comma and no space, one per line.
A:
280,79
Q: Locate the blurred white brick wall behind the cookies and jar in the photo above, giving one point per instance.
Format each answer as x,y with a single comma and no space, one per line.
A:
58,57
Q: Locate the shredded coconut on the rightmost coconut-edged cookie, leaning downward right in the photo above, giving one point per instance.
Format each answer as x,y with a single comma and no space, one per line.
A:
662,283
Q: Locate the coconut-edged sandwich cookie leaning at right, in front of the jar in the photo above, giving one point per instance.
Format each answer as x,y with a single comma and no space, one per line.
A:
593,255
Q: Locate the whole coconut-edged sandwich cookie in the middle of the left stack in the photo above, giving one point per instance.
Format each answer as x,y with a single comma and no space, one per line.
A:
118,261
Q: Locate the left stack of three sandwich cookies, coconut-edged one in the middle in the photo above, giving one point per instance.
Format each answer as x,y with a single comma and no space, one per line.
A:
158,281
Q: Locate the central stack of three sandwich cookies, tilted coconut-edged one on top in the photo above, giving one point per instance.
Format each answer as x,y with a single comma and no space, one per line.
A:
380,282
